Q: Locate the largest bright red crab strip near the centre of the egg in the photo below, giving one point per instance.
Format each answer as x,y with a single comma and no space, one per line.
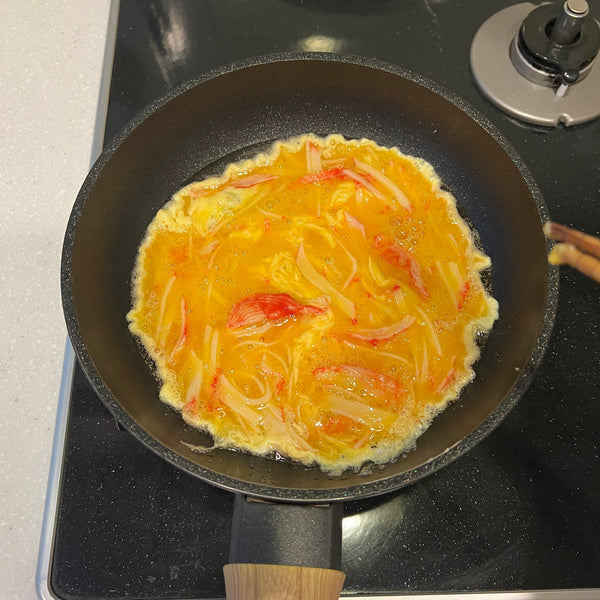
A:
267,307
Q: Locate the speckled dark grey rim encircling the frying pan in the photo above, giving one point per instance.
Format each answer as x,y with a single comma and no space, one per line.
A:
336,492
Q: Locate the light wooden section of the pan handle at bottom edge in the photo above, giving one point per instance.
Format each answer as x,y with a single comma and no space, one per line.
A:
279,582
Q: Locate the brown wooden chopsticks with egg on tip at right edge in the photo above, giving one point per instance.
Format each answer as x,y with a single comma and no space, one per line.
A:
576,249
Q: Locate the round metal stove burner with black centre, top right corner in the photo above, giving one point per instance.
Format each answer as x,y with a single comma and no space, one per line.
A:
535,63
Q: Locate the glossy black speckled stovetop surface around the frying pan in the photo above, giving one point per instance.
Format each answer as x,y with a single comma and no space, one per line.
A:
520,511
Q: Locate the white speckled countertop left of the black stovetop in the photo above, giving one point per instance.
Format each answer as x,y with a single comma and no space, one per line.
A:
50,63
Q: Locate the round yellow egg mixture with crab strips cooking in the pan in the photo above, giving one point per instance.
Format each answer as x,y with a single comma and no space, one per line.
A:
321,301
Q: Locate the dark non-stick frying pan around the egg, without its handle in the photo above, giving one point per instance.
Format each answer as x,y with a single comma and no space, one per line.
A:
236,111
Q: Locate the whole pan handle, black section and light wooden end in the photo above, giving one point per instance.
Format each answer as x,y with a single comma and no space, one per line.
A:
285,551
